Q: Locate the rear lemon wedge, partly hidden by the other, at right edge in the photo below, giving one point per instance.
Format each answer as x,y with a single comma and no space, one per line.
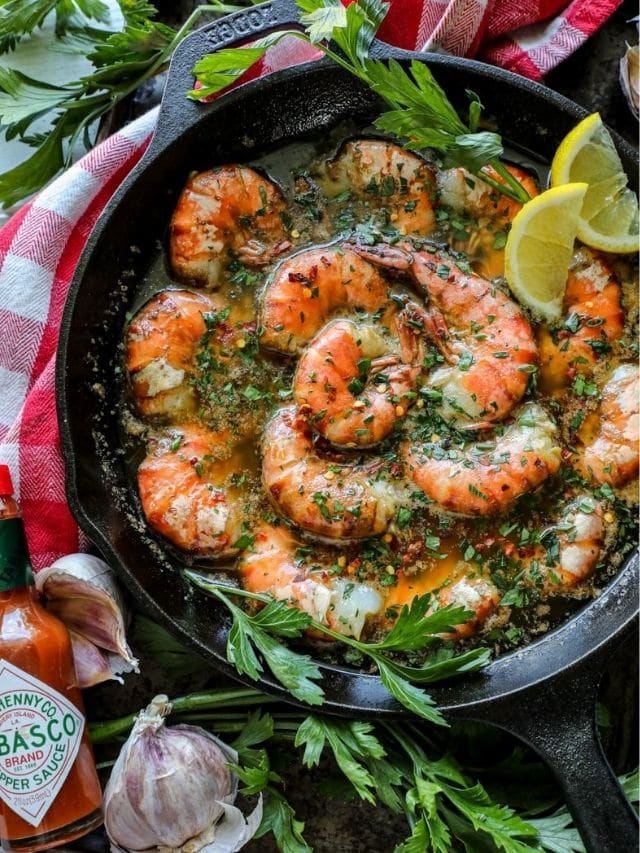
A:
609,216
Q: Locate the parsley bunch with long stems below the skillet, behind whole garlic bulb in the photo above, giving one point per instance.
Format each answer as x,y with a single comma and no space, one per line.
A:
397,764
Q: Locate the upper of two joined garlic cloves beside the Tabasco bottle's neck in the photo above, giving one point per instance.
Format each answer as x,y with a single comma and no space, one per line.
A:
82,592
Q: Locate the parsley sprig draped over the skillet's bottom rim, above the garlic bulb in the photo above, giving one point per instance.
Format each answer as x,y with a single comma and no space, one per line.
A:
414,630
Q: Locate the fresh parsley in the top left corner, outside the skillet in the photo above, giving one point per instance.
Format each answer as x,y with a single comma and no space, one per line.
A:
122,61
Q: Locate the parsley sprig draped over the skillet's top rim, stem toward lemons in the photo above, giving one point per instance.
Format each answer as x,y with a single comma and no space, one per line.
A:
418,110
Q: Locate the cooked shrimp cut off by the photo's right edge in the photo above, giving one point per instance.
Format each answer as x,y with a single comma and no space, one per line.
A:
611,454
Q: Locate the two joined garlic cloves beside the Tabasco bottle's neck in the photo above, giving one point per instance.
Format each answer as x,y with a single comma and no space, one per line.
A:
81,591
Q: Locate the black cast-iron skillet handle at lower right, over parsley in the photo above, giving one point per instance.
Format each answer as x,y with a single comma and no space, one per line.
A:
556,717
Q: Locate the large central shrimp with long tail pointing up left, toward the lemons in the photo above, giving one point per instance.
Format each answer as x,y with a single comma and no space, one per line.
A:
484,336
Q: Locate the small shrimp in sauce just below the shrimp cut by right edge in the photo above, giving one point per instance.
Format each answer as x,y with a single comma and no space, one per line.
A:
573,548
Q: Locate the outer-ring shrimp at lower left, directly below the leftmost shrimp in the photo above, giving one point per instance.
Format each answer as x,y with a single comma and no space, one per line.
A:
186,491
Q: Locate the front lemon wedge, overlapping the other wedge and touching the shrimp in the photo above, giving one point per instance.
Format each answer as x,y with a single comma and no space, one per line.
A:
540,247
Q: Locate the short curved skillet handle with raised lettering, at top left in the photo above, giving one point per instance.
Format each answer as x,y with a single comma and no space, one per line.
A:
177,112
